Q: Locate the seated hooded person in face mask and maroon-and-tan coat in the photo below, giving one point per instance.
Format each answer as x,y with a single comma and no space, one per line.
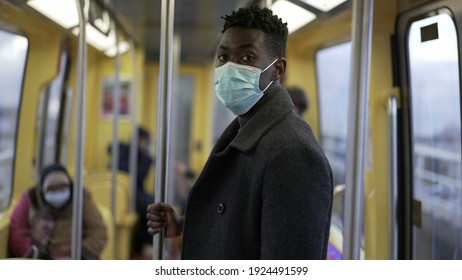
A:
41,223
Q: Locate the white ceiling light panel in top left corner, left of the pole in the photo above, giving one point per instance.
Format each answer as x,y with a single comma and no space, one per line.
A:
63,12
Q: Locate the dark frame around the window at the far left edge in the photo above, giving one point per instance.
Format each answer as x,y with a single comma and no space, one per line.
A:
11,30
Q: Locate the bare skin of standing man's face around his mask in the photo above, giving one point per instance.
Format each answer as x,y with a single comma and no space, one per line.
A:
245,46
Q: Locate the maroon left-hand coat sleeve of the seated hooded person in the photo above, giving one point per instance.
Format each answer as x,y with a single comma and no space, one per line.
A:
20,239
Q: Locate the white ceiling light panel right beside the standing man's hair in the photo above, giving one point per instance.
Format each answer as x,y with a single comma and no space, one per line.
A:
294,15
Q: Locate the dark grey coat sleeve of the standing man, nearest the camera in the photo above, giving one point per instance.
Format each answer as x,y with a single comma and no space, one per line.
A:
297,195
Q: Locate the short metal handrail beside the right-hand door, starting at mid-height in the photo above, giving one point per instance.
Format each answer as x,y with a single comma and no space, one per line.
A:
392,178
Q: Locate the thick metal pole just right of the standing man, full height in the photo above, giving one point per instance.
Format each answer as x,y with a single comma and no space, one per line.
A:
357,126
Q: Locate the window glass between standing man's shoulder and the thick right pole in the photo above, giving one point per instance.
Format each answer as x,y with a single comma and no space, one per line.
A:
333,74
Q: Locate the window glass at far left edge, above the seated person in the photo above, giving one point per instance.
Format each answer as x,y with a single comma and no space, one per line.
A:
13,54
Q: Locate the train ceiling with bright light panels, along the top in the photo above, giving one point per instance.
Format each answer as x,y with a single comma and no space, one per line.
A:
197,24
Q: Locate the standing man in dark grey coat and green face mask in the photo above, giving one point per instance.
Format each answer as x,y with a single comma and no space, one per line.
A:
266,189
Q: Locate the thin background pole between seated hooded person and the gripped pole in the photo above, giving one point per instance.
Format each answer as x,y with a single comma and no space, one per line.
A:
115,130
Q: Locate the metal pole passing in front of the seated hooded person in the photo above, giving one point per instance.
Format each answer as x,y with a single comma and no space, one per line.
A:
77,203
